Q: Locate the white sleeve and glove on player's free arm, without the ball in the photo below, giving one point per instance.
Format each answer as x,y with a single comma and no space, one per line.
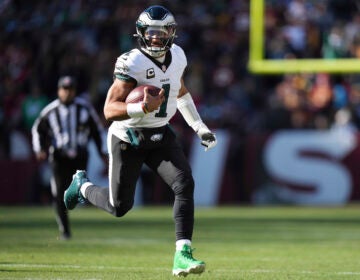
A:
188,110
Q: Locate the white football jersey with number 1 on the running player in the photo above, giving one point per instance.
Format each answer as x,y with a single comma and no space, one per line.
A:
145,70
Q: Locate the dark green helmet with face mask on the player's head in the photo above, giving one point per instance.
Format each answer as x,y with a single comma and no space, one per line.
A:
156,29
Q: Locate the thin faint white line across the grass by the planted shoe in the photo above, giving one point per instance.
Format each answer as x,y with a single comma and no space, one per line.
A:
160,269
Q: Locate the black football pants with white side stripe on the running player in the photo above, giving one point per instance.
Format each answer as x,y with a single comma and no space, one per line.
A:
125,163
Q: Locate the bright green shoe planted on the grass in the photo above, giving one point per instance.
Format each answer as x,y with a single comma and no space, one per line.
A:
184,263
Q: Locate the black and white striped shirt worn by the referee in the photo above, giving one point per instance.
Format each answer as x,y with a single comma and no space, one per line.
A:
67,128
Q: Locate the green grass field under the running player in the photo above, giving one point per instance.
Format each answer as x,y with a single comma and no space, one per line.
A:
235,242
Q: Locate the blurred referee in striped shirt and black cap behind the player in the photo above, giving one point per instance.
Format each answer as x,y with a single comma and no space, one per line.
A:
61,134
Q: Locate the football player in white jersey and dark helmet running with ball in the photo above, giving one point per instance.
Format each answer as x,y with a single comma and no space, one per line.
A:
140,132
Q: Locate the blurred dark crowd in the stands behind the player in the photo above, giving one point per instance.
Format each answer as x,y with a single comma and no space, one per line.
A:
42,40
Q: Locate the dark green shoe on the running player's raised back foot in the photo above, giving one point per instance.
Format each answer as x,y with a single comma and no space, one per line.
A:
72,195
